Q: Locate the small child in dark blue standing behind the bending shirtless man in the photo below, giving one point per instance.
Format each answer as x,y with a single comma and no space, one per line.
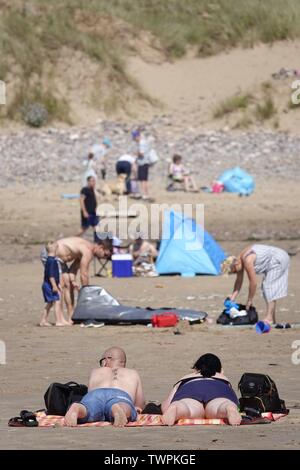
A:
51,288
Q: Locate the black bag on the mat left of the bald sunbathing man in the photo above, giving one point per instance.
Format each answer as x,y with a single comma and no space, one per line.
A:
59,397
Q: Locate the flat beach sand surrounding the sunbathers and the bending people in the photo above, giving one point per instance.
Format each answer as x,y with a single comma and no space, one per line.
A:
37,357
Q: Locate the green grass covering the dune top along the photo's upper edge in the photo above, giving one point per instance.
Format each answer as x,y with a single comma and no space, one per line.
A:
33,33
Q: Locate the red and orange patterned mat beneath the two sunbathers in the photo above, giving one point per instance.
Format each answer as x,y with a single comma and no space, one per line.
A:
154,420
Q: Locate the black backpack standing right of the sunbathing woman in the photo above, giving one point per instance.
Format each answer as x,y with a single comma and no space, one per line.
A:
260,394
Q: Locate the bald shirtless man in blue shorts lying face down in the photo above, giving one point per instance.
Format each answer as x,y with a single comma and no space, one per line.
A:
115,393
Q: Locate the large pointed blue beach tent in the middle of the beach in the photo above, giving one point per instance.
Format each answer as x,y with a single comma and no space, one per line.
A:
187,249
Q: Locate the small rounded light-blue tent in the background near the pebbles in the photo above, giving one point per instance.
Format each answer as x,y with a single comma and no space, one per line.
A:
237,180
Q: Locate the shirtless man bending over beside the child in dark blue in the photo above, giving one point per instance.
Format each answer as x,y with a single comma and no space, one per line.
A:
79,253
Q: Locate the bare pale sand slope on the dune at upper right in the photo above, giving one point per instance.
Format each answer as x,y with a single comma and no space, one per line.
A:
190,88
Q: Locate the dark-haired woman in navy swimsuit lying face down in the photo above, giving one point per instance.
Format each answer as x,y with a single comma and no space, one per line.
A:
206,393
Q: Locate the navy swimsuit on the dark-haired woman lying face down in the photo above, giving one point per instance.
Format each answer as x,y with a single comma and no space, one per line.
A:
204,390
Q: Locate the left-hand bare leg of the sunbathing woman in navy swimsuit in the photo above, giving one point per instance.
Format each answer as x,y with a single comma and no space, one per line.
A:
185,408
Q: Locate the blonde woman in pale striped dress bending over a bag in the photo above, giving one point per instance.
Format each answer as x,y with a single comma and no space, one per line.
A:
270,261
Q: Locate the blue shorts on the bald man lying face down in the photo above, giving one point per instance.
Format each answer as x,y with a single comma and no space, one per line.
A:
98,404
